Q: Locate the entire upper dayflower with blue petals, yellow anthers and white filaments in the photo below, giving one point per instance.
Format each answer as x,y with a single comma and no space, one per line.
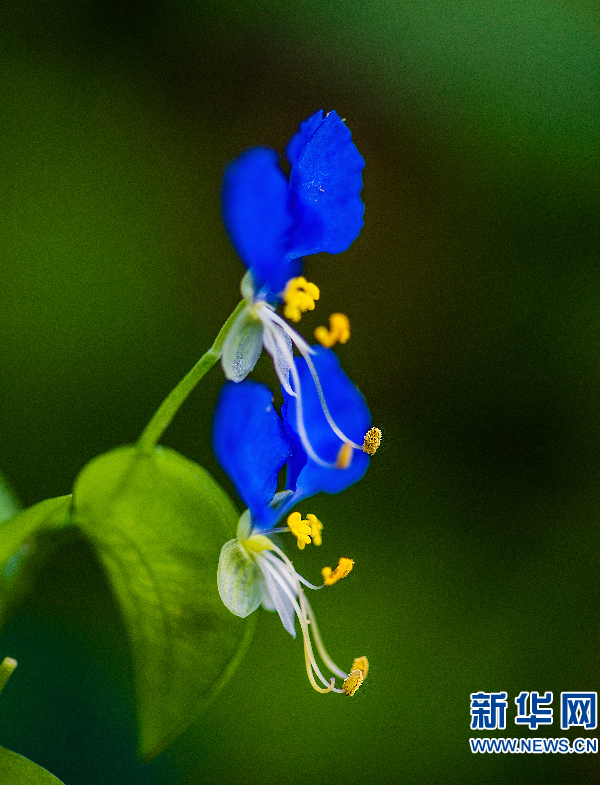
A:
273,223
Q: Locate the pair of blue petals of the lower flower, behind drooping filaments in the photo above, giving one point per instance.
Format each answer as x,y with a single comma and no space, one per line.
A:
252,443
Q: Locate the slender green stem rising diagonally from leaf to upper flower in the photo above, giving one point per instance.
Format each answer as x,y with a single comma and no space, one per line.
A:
170,406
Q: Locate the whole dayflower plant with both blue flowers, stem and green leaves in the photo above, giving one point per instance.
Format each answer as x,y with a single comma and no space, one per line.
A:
155,519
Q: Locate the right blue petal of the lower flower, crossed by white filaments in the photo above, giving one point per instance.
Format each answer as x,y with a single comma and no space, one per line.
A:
349,411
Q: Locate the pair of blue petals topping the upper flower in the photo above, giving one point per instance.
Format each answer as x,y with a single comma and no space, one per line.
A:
272,222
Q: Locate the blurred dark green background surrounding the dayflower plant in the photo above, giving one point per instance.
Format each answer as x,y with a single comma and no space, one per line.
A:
474,297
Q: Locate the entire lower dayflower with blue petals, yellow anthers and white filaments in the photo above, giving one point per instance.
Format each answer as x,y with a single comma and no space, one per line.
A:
253,443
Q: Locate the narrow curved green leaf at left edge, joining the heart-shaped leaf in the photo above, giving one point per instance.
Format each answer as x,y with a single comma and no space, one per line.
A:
25,539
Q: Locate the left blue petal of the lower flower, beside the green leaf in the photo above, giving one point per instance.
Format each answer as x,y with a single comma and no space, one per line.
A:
251,444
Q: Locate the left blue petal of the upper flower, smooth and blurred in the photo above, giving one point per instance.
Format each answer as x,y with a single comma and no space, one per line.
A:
256,216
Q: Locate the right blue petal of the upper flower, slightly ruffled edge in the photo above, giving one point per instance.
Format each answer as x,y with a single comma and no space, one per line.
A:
325,186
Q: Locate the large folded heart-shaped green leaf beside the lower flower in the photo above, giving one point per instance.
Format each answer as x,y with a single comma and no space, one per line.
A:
158,522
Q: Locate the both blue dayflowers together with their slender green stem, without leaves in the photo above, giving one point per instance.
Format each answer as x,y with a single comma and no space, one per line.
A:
323,435
